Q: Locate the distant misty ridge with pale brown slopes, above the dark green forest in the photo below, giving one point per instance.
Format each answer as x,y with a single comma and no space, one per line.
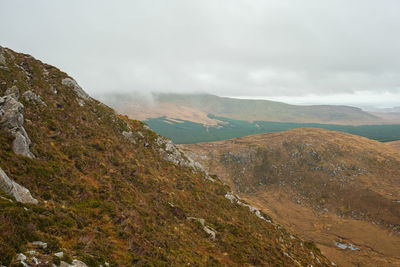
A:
198,106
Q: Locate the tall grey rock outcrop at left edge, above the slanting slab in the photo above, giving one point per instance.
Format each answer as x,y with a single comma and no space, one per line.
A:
12,119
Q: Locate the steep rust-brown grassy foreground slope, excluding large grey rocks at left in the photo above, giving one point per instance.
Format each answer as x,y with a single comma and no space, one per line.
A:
107,190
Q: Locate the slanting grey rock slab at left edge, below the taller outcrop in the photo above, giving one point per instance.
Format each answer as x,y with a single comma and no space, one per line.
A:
20,193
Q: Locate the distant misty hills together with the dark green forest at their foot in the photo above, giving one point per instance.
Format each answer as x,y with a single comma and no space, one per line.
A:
201,117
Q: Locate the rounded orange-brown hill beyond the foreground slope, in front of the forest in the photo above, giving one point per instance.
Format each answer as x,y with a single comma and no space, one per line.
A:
340,190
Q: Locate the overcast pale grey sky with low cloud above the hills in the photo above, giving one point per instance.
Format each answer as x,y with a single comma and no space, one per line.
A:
309,49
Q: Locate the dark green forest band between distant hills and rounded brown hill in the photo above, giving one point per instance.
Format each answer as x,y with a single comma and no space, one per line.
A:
186,132
